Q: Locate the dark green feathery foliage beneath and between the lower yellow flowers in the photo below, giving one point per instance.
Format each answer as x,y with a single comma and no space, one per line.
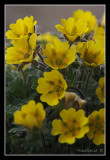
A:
21,87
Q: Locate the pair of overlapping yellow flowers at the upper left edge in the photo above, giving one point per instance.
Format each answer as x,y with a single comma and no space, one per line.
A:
23,38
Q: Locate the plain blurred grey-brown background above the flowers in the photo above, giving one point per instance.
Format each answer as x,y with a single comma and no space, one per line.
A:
47,16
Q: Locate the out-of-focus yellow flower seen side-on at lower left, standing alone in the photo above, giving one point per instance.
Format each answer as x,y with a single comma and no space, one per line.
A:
31,115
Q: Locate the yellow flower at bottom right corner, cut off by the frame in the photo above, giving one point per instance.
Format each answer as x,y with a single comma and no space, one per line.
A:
96,127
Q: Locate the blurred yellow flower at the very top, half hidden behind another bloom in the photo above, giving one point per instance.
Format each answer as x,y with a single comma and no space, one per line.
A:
87,17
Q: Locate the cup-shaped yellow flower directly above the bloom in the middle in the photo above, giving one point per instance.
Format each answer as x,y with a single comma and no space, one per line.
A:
59,55
